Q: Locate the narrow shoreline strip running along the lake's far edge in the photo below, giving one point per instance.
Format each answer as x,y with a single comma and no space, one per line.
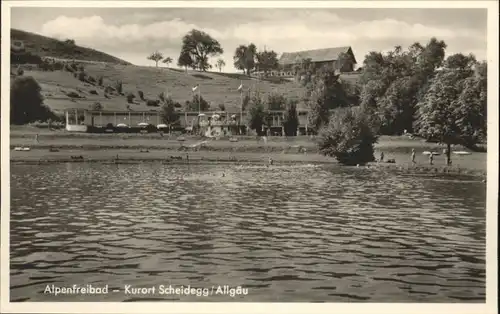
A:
172,157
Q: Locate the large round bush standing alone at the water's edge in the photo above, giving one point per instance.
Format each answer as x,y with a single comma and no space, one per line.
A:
348,137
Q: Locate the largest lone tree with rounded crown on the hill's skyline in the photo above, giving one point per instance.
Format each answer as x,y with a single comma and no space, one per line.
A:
200,46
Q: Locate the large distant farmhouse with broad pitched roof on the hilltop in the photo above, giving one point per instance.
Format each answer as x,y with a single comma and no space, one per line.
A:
319,57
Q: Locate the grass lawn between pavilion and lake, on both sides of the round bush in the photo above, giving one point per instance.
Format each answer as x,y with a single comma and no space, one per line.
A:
106,146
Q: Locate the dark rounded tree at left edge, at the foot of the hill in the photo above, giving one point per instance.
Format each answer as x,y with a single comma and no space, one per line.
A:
26,102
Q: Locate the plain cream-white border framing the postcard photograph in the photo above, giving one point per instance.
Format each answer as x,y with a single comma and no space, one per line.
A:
165,307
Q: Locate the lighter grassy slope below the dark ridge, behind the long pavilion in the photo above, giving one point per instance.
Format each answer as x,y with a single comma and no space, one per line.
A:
216,88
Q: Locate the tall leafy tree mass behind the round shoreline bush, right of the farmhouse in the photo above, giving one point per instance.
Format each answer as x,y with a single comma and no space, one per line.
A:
394,82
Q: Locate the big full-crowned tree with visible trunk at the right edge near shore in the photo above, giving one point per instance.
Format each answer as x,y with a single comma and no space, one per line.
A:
453,111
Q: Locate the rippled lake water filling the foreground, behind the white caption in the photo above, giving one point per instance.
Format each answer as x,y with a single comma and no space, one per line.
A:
286,233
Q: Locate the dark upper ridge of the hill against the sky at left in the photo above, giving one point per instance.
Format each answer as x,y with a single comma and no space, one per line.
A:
50,47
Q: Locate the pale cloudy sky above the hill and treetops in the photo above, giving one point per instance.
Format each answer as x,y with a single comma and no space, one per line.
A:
134,33
